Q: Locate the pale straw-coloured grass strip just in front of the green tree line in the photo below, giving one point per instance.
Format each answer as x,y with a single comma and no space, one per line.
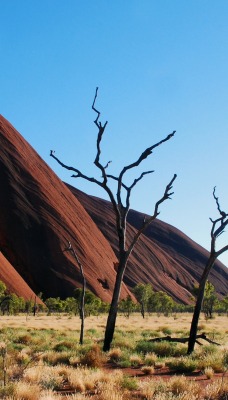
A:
134,323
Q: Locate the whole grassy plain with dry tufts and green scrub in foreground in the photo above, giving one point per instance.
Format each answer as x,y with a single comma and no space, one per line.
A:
40,358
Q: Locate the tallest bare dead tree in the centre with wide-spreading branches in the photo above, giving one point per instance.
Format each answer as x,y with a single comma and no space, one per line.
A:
121,205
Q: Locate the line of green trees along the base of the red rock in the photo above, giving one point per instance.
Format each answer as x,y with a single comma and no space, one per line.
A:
148,302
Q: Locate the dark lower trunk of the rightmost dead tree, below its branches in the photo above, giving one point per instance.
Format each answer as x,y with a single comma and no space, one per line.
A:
198,306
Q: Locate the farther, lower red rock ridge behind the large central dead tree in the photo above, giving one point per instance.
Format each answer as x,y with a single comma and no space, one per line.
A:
164,256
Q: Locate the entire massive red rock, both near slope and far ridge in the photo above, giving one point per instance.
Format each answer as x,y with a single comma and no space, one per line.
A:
40,214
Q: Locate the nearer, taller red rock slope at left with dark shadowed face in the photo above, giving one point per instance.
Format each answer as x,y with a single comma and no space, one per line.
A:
39,214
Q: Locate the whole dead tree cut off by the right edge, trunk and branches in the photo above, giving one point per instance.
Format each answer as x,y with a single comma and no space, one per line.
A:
217,229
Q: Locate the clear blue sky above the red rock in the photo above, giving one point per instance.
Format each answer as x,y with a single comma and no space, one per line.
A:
160,66
